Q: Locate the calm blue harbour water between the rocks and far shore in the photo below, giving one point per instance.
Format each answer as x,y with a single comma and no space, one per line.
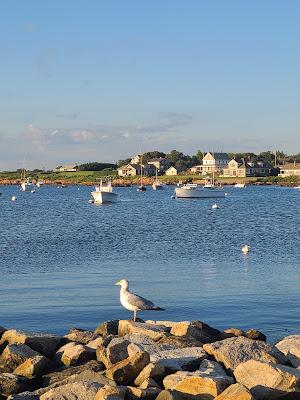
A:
60,257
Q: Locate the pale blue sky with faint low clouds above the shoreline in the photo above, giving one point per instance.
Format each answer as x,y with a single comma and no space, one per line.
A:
101,80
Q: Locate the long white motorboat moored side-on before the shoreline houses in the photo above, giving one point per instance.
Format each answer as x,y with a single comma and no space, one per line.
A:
192,190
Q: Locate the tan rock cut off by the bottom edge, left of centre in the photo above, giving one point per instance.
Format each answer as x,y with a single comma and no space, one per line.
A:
73,391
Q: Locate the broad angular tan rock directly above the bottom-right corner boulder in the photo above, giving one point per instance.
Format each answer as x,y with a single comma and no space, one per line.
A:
233,351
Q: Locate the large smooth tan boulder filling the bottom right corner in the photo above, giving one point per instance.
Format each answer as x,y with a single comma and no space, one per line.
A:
268,381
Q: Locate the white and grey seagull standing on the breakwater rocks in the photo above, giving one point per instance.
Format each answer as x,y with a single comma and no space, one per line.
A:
133,302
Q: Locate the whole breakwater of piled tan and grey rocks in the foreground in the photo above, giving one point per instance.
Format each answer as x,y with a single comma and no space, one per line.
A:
150,360
